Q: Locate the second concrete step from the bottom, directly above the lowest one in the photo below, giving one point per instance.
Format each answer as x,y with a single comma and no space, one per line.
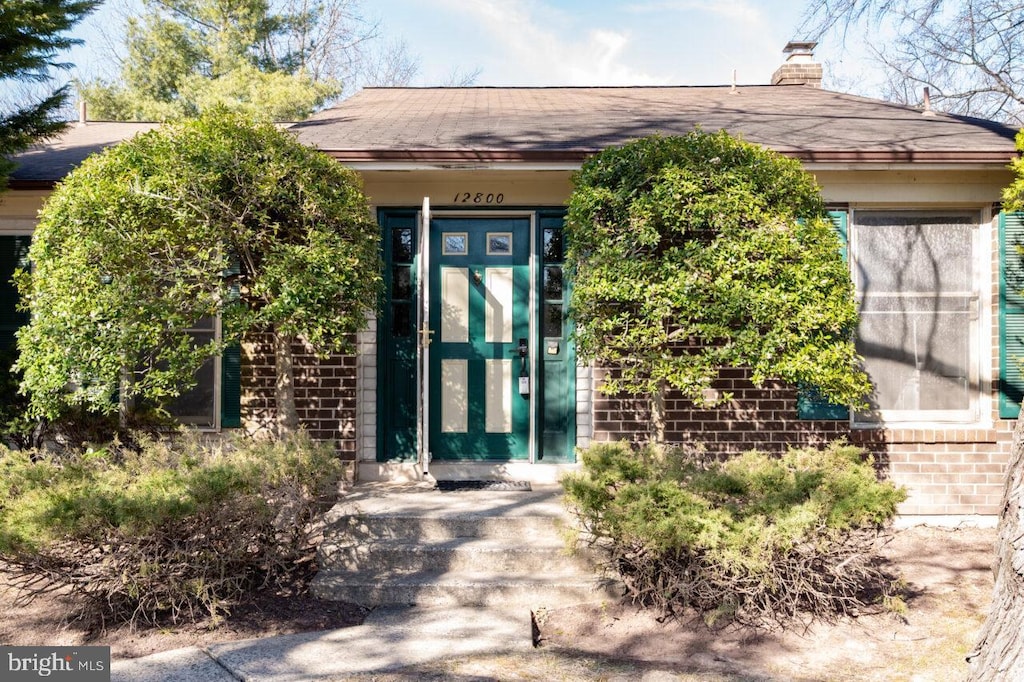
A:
460,555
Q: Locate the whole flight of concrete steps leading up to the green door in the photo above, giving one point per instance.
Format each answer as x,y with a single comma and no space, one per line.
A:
410,545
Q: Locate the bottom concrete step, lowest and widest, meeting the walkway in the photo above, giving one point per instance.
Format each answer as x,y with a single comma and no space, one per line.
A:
462,589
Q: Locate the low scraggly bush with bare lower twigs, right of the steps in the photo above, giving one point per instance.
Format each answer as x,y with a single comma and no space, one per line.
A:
759,540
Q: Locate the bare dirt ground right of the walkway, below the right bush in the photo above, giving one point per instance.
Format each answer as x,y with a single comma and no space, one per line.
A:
950,584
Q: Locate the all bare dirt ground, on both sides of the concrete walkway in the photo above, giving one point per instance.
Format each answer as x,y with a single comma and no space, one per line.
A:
949,576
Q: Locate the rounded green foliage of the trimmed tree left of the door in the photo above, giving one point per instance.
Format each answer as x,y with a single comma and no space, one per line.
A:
144,241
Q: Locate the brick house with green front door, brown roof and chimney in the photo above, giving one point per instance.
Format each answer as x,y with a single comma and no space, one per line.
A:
471,370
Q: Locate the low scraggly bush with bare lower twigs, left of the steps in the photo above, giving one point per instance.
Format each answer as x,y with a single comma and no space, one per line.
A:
174,529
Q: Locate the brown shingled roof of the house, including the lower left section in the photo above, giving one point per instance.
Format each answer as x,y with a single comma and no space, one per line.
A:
566,125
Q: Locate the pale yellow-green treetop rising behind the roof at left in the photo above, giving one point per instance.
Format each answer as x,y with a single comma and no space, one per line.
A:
186,59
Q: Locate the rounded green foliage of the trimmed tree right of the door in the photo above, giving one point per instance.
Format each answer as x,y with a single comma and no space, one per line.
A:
701,252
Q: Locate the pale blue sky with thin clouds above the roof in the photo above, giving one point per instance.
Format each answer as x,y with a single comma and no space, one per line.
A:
566,42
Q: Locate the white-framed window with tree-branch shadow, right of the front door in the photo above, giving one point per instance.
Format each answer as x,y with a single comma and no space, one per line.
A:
917,288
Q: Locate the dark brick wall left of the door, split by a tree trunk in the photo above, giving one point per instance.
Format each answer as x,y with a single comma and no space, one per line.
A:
325,394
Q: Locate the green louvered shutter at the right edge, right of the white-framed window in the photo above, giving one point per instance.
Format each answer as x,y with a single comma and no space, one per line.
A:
1011,385
